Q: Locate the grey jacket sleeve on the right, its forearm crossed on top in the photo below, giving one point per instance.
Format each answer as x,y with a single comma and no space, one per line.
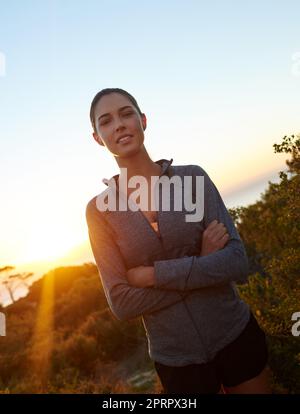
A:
224,266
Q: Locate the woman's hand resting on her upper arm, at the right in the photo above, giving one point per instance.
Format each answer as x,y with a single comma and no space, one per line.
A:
214,238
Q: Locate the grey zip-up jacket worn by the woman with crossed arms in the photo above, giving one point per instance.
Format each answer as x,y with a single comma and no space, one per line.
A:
193,310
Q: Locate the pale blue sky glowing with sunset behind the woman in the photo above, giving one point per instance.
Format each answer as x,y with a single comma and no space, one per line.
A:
219,82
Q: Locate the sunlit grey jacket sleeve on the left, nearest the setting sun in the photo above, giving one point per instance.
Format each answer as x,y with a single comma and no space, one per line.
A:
125,301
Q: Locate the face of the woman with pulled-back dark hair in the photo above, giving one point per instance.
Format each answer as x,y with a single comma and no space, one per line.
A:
116,116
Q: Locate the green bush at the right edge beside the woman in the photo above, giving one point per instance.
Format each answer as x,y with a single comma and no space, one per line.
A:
270,229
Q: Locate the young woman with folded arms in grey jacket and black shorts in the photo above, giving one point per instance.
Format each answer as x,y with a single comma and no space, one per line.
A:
179,275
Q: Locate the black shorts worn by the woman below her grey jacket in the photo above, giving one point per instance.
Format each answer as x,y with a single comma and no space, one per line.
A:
241,360
